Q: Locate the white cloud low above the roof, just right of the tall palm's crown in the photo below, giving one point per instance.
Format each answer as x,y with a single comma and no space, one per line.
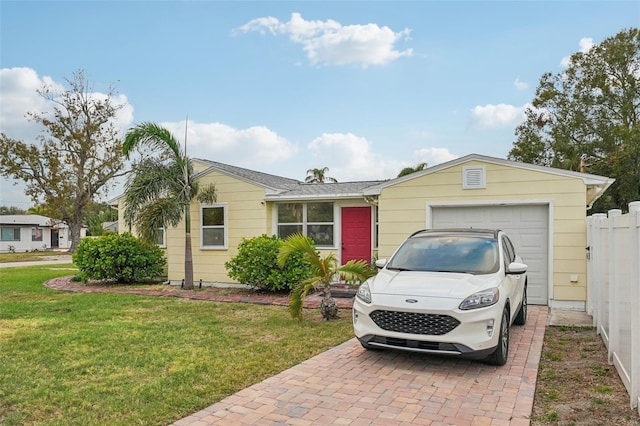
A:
242,147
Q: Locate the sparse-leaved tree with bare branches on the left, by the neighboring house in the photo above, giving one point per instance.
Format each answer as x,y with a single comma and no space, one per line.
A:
76,156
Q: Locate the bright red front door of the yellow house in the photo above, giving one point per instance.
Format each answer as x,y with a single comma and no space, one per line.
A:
356,234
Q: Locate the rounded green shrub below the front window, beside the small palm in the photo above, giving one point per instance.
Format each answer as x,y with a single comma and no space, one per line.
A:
256,264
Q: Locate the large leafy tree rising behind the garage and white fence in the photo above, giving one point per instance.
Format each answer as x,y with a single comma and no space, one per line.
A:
587,118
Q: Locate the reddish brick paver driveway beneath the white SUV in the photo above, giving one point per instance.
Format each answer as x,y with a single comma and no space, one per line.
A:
347,385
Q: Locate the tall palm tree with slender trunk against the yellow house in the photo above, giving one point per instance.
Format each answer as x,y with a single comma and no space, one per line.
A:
159,192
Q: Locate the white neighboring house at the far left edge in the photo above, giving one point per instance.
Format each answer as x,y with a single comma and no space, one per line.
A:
31,232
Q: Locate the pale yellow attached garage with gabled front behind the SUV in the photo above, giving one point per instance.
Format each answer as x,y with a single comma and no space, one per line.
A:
543,210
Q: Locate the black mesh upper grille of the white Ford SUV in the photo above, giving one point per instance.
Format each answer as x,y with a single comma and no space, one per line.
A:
414,322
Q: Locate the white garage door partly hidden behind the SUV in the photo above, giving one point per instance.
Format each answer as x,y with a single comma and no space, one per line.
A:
527,226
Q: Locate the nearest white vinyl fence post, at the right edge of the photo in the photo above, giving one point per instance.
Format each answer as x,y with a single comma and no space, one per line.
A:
634,246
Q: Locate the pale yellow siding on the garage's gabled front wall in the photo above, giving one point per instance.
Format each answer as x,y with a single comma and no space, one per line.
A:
403,211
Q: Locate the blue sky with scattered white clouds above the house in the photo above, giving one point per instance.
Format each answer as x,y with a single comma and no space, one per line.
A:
364,87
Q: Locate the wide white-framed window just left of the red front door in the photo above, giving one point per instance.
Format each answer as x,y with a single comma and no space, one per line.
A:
312,219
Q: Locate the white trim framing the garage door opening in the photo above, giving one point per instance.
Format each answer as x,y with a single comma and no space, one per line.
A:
533,202
